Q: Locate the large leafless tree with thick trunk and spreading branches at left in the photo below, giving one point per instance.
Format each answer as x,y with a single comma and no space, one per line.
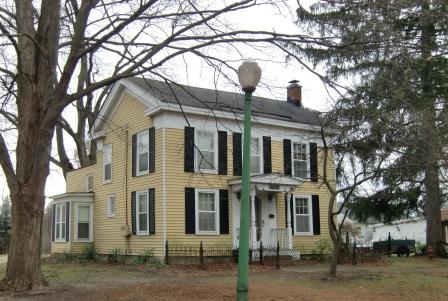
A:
53,56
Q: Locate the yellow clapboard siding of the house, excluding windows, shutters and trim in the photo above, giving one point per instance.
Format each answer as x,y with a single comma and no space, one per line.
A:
127,120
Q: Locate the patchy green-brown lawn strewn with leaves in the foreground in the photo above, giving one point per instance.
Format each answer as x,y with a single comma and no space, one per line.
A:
393,279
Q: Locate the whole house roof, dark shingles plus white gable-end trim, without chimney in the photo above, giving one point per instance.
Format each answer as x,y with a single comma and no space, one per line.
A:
154,94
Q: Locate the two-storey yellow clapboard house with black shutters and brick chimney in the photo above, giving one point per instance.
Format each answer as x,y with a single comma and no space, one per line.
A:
169,165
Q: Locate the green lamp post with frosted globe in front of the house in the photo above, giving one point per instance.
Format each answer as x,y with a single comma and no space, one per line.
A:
249,74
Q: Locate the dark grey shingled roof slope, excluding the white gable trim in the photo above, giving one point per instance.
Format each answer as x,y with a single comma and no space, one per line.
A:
226,101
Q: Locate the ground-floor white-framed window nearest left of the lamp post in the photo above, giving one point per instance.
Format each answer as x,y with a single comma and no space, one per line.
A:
207,214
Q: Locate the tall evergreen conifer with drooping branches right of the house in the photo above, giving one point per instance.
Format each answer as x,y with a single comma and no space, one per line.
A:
397,53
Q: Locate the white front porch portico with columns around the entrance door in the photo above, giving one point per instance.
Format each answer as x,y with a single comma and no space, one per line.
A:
263,209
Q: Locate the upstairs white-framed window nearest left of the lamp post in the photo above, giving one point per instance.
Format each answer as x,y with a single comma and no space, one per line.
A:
206,155
